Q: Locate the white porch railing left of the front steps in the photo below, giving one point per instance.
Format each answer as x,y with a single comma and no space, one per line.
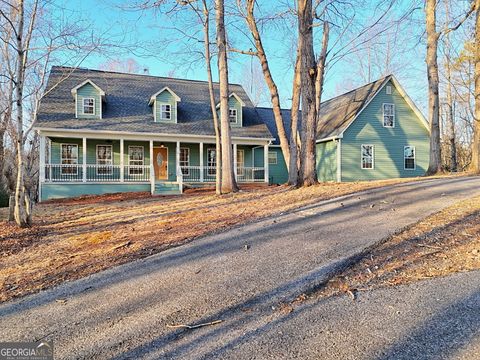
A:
95,173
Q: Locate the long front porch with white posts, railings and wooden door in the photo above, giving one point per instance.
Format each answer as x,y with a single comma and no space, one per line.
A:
79,166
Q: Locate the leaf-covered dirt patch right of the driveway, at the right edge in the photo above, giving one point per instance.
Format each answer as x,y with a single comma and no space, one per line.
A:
444,243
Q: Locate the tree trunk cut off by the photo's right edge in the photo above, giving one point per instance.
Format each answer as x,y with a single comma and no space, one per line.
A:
476,129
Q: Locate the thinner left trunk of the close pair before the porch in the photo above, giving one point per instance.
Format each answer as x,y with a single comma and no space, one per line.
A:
213,103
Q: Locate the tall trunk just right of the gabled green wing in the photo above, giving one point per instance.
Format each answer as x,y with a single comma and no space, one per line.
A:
433,80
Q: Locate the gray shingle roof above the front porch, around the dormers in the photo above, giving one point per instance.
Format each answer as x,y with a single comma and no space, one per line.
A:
126,107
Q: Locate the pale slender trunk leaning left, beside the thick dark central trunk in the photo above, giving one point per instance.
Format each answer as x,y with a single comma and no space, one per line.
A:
272,87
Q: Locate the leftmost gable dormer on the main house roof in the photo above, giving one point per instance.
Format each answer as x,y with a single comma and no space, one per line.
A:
88,100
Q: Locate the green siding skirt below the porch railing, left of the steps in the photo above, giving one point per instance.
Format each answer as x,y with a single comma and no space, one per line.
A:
57,191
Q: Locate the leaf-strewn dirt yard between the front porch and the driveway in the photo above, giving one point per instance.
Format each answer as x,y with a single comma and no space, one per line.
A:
77,237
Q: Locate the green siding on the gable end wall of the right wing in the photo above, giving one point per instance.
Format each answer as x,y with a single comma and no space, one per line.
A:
388,142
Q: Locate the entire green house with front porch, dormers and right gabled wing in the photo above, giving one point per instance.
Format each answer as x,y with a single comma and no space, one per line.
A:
105,132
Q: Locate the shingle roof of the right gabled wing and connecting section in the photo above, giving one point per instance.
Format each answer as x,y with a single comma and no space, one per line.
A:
336,114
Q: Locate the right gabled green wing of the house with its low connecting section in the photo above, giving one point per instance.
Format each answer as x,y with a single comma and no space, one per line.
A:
370,133
